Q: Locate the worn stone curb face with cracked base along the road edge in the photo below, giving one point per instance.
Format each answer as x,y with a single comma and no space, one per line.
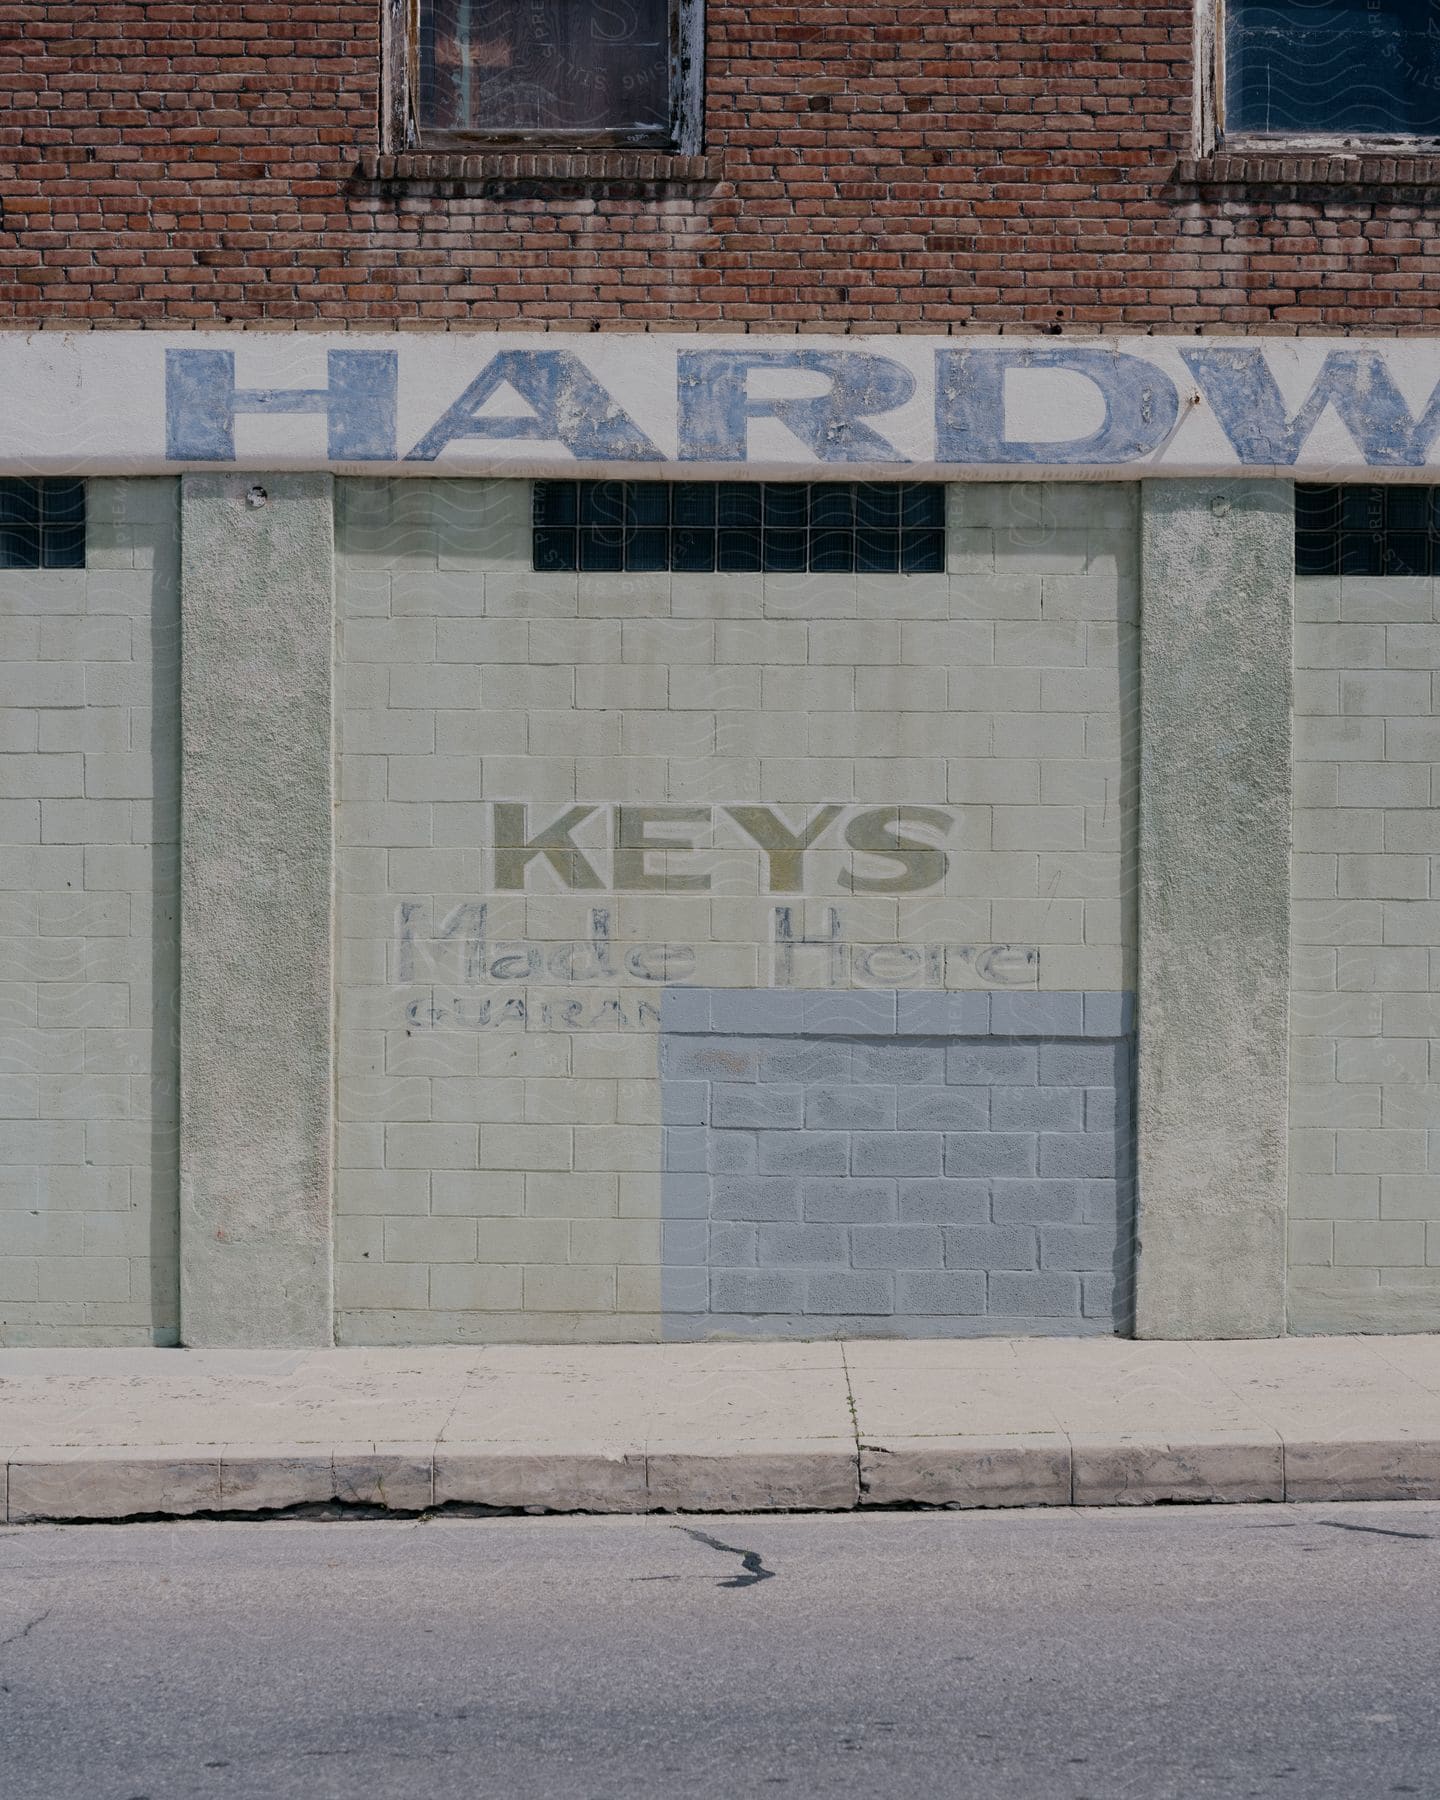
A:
1039,1470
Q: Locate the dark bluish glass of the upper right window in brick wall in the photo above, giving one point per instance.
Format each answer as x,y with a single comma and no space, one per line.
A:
1367,67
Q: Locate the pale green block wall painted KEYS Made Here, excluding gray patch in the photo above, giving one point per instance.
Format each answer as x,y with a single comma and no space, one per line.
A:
501,1144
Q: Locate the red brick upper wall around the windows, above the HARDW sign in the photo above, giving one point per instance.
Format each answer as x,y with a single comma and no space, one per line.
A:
870,168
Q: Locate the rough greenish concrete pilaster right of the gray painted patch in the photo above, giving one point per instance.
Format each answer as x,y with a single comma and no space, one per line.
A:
1214,908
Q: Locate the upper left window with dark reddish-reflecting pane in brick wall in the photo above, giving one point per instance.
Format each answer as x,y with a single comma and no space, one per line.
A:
553,73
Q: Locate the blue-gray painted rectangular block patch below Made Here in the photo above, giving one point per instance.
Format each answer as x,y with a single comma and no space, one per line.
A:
895,1164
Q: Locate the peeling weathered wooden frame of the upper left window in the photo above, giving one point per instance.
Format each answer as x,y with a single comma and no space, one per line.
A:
400,127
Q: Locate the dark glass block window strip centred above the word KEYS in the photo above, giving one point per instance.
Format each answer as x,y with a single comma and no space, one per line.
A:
741,526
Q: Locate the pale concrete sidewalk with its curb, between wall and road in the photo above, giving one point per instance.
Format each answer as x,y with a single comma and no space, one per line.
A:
719,1428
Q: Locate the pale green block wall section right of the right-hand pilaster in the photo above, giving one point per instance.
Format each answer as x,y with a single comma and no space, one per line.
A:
1365,919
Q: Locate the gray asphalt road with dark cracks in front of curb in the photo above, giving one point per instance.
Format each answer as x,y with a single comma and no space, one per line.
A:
1241,1651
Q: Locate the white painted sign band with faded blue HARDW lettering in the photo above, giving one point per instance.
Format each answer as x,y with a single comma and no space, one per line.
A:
717,408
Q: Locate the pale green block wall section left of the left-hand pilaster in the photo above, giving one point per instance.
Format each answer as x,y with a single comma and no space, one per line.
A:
89,764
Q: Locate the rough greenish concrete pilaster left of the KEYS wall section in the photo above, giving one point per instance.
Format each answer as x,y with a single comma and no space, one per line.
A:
256,1079
